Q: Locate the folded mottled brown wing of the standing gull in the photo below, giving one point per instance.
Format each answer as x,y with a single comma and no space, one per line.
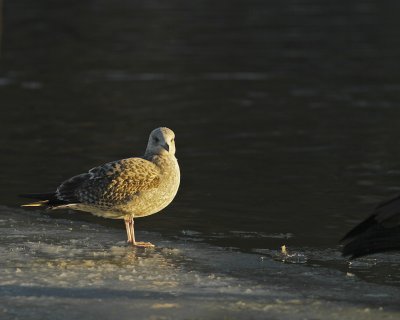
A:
111,184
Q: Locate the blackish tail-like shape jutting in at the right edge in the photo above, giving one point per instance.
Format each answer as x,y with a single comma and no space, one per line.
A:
378,233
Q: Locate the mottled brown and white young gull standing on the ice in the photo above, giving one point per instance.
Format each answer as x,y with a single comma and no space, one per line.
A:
123,189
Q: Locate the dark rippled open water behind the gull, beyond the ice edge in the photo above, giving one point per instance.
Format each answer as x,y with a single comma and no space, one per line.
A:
286,113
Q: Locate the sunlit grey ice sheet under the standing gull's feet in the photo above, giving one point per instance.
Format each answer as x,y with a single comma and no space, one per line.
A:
61,269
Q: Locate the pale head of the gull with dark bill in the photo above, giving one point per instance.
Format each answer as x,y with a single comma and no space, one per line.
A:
161,141
